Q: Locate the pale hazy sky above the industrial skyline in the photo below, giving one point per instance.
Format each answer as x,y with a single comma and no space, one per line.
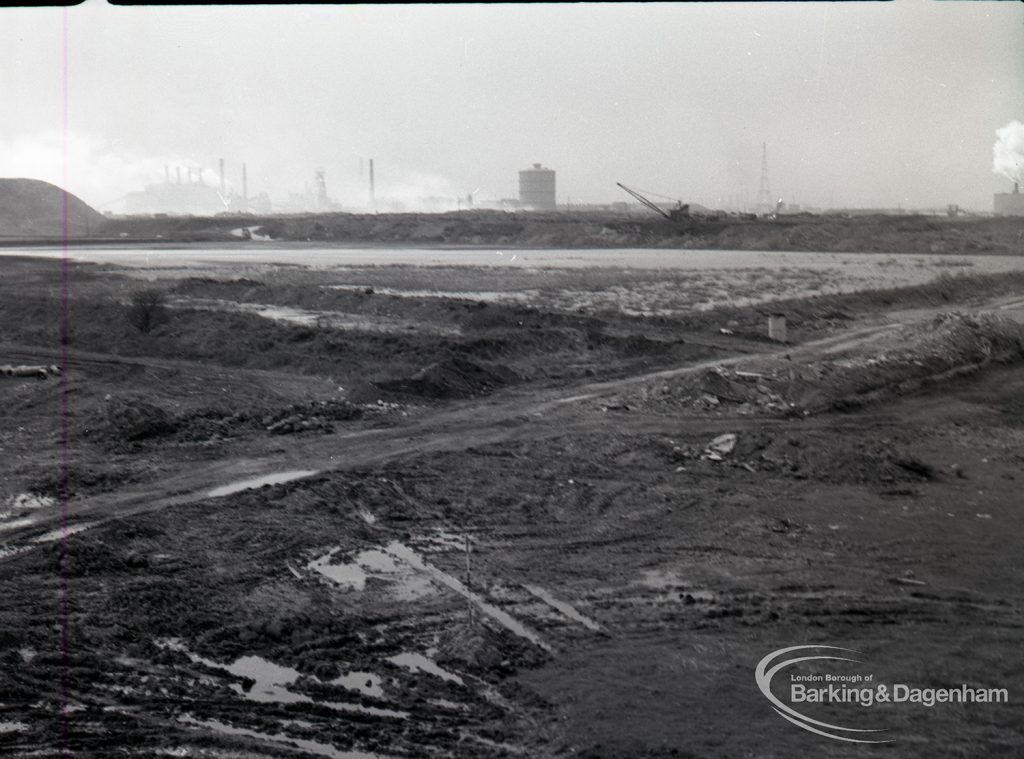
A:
861,104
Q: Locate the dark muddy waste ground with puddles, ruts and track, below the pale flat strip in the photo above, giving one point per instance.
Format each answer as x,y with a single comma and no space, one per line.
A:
498,529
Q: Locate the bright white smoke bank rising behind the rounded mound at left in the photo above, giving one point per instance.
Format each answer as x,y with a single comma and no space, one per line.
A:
100,175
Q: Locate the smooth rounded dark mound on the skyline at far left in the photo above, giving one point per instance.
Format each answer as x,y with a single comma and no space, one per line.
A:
34,208
